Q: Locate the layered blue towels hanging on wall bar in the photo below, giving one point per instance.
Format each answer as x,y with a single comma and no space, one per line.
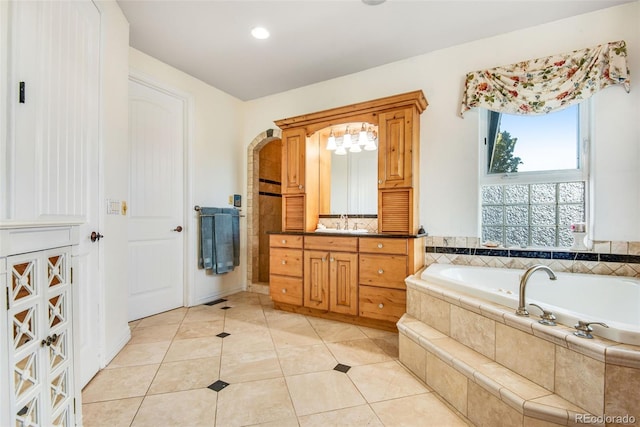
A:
219,239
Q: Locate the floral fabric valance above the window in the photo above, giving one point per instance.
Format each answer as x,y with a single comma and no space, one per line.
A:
542,85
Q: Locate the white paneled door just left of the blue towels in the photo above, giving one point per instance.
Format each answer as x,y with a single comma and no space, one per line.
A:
156,145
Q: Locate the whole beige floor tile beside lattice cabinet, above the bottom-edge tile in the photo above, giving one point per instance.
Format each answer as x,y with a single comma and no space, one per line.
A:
119,383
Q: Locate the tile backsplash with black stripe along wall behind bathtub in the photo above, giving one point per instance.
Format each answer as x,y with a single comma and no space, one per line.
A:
606,257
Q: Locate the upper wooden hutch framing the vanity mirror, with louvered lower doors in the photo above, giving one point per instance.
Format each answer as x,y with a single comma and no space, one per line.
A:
398,120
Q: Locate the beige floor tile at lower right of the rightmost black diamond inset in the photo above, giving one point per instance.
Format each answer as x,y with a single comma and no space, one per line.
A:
384,381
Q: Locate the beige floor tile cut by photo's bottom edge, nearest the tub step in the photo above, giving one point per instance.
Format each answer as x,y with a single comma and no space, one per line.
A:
420,410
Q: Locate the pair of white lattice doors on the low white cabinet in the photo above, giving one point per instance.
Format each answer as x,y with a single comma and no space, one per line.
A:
39,305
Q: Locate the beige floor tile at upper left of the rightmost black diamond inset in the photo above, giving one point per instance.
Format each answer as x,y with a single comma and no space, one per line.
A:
305,359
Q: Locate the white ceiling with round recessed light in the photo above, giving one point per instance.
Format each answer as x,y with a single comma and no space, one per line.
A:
313,41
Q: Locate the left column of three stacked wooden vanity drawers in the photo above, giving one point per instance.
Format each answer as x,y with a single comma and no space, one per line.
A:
285,268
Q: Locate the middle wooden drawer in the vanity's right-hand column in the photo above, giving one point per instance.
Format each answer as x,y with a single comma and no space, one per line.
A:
387,271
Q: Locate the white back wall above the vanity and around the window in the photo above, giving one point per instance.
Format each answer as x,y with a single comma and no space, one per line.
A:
450,144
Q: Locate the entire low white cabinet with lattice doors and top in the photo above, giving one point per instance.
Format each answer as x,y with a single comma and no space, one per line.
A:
37,374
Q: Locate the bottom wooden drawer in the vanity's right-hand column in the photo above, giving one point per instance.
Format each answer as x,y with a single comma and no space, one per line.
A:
383,304
